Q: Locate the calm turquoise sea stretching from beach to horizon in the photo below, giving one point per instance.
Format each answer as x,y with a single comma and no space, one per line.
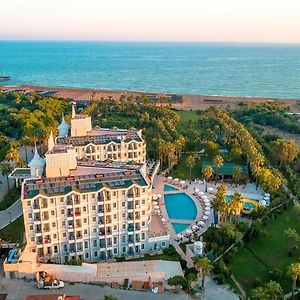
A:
189,68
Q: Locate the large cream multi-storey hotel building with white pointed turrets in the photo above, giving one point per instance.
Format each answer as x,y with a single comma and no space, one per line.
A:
90,198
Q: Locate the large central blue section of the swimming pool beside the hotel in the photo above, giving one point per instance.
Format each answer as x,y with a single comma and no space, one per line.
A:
180,206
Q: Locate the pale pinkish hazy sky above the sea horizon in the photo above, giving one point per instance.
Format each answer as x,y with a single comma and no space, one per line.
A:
152,20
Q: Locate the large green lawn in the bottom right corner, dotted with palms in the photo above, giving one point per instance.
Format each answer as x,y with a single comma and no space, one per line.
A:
261,256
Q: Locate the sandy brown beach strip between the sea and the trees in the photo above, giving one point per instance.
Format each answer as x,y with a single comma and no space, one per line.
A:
190,101
